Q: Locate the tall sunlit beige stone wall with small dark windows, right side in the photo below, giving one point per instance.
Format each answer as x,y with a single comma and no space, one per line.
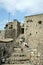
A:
33,30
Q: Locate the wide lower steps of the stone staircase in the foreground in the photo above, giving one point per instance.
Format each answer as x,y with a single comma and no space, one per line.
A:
18,57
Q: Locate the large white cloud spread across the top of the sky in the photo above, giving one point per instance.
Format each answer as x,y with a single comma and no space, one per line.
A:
35,6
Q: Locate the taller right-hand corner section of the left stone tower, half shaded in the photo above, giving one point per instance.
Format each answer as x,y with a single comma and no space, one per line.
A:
17,27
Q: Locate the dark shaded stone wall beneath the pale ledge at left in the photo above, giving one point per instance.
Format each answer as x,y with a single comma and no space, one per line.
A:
7,47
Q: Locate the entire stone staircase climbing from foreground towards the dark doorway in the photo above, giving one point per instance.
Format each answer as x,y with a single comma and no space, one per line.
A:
18,57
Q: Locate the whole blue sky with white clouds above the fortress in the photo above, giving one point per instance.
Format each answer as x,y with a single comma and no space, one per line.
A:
18,9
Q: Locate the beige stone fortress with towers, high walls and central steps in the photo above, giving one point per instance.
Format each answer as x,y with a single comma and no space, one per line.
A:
32,33
